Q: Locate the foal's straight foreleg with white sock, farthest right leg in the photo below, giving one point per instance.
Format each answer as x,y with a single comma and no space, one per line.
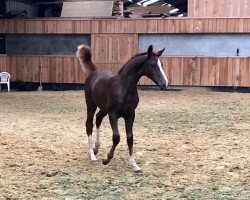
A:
129,132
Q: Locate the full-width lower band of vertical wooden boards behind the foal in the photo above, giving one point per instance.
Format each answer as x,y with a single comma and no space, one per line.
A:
190,71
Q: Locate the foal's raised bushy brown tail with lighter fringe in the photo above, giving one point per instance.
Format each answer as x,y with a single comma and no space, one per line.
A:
85,57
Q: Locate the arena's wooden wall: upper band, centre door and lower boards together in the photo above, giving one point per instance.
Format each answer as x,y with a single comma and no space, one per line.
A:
113,42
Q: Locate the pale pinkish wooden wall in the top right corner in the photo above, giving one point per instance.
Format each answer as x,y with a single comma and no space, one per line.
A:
218,8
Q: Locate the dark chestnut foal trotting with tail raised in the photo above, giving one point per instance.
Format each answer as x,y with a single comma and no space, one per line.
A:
117,96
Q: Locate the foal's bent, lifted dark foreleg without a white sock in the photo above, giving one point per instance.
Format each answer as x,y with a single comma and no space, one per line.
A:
116,138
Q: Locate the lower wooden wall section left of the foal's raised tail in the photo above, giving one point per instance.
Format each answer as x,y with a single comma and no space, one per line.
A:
55,69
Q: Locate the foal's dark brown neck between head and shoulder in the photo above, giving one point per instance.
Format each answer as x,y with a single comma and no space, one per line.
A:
130,73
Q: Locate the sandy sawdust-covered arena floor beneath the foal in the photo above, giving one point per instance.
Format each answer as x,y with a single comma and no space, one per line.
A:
192,143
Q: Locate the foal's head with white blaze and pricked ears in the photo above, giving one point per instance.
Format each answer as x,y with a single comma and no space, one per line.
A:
152,68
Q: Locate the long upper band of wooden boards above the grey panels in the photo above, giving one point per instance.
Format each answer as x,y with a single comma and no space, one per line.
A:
121,26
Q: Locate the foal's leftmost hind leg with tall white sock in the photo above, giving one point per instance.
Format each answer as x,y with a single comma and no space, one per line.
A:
89,129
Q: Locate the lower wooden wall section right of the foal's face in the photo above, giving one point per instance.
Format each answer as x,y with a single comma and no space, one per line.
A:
208,71
